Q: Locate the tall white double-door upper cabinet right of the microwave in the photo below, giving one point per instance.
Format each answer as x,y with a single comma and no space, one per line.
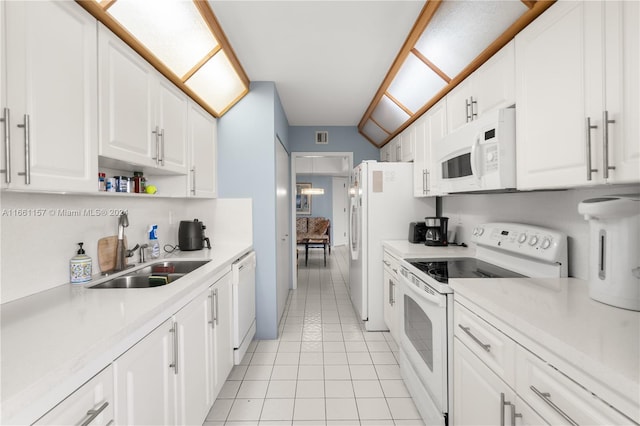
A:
576,64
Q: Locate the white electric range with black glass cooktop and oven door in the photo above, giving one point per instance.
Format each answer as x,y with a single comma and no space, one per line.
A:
504,250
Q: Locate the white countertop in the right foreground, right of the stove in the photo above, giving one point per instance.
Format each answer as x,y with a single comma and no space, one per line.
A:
557,314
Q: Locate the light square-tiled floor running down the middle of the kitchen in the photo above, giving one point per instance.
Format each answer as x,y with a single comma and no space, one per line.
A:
324,370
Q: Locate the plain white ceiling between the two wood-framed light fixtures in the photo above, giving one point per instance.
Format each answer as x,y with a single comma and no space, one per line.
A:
327,58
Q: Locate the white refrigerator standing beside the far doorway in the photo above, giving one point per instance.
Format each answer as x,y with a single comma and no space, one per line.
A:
381,207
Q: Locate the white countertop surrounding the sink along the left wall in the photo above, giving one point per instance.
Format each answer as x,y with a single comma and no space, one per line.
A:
54,341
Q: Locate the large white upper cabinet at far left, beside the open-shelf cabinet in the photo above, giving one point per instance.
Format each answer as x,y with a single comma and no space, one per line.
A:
49,97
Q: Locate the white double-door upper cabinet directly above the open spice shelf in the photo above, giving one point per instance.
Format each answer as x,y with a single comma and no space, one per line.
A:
143,116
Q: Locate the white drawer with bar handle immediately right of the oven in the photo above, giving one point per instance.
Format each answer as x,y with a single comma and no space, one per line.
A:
492,346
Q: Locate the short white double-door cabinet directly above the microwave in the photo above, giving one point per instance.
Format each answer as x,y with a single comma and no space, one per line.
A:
490,87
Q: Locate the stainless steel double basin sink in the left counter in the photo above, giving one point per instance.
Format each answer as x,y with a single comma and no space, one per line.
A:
154,275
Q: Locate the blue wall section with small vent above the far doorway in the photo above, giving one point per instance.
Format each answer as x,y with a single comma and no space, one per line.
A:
341,139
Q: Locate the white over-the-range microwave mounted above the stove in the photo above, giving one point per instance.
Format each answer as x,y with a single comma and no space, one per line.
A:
481,156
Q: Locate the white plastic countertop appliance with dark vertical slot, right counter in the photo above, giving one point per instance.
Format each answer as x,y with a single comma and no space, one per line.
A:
614,261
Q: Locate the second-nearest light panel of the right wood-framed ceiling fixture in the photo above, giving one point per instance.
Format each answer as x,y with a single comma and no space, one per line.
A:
415,84
